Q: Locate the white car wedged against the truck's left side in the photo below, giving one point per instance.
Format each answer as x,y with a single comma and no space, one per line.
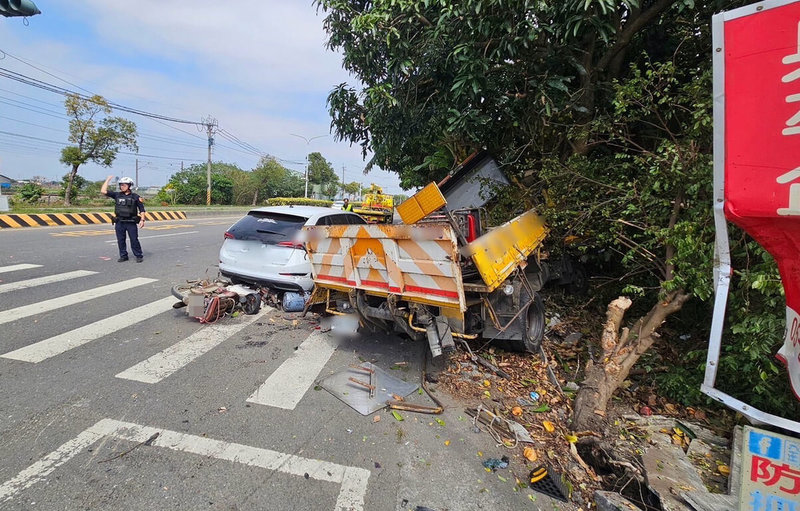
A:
263,248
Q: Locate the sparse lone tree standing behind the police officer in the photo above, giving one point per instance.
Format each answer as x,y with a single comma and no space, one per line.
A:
97,137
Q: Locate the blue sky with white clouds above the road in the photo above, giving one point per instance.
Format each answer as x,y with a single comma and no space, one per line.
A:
259,67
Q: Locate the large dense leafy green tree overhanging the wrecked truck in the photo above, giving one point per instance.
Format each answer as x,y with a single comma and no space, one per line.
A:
602,105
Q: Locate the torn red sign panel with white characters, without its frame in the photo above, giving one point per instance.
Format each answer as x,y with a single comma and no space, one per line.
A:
762,147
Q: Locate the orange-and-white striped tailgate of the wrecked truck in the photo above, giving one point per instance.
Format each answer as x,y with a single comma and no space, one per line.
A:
418,263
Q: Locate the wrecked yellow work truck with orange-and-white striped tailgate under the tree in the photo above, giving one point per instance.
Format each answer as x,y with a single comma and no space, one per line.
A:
441,275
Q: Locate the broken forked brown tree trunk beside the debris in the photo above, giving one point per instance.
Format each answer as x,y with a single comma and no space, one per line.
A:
621,351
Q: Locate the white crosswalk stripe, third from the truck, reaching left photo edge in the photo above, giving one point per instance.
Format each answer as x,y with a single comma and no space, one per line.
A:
53,346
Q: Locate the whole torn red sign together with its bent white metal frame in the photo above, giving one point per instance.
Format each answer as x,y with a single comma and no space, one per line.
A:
757,165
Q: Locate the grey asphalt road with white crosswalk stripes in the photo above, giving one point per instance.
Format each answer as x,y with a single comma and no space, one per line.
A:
112,399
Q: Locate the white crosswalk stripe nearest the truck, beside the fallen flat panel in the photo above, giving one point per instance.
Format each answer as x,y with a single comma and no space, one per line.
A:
289,383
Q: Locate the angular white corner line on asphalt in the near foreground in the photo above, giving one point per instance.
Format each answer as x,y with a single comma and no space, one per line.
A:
353,480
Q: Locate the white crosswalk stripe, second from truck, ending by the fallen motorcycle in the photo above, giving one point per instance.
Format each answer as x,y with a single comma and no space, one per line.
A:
163,364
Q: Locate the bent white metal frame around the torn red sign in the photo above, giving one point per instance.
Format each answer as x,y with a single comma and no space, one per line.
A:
722,259
